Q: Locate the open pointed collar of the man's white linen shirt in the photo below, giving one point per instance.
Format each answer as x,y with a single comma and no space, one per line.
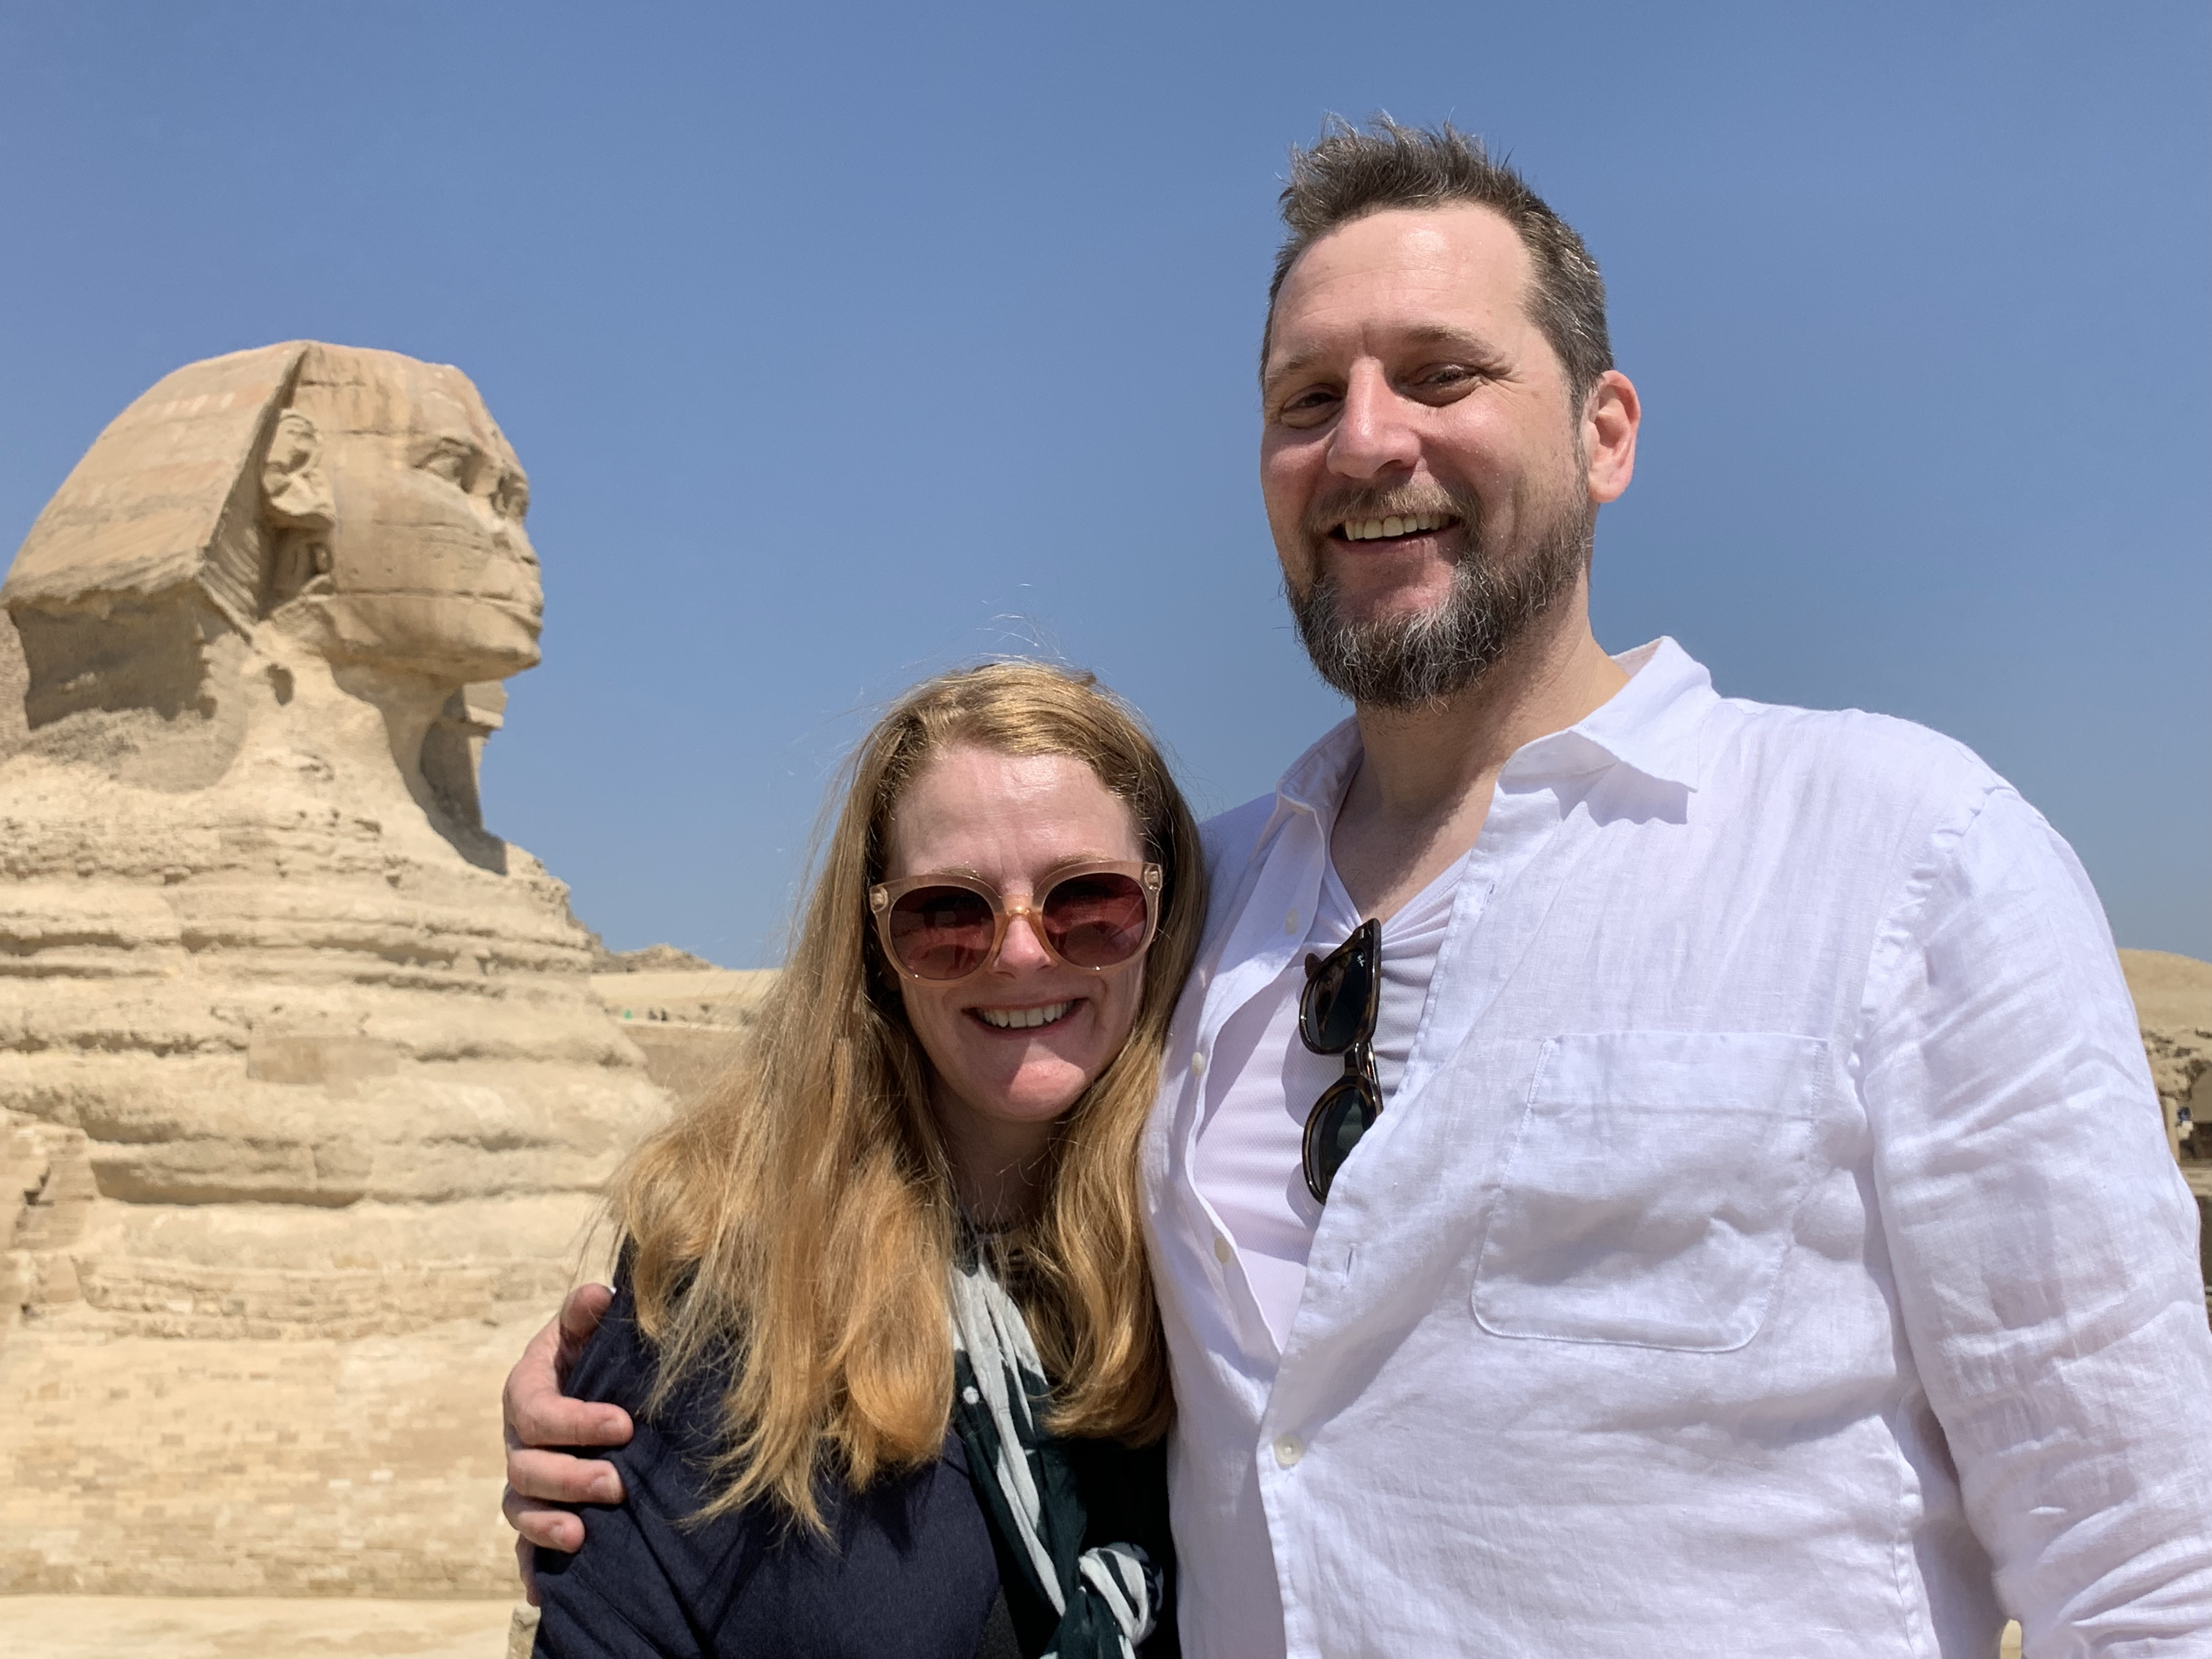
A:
1651,724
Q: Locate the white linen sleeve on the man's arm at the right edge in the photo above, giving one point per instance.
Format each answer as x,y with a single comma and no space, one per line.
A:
2045,1244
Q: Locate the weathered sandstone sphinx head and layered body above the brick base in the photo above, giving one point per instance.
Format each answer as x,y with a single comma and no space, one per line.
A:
289,1041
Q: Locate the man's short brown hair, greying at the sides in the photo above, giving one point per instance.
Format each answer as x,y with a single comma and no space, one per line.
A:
1350,174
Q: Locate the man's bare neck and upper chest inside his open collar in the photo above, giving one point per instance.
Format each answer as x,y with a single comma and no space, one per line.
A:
1426,775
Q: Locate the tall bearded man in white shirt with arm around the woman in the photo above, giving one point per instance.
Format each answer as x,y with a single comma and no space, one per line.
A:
1762,1238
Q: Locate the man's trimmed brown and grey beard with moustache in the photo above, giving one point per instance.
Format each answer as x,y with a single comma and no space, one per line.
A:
1496,598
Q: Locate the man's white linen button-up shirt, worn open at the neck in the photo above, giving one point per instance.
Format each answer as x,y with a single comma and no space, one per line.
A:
1771,1249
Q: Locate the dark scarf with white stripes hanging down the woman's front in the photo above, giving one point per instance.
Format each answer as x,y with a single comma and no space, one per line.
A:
1107,1598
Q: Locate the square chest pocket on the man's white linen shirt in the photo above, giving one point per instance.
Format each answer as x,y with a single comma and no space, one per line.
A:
1651,1189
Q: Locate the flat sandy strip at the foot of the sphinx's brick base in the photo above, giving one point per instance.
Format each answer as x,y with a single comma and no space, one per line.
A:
127,1627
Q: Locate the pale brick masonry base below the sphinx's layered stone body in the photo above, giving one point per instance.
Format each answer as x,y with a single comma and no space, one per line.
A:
278,1470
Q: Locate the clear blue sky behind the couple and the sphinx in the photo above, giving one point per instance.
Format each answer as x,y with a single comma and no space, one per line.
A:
846,344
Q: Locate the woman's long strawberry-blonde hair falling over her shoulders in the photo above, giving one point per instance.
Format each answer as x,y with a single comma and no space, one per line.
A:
795,1227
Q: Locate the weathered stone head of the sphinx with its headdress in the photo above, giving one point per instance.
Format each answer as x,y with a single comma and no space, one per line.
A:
359,501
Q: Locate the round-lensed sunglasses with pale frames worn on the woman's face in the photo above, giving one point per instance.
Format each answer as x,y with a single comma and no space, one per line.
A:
952,928
